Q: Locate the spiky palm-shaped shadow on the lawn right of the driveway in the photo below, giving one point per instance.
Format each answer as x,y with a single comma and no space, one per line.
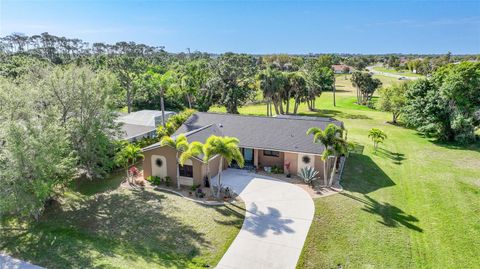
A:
392,216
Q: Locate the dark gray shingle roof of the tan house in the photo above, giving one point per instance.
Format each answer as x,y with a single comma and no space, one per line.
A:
283,133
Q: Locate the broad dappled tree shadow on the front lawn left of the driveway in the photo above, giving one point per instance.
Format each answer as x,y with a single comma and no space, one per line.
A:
130,225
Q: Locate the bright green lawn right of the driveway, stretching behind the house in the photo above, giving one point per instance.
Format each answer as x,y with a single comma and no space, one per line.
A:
413,204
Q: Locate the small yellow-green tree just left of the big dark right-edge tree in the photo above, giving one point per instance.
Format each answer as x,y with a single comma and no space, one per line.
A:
392,99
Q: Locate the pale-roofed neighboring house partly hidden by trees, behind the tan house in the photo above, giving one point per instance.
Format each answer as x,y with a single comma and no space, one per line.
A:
141,124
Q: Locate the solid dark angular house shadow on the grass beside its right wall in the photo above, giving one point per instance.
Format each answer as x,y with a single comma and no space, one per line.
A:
363,175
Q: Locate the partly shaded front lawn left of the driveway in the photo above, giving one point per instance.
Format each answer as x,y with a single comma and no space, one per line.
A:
100,225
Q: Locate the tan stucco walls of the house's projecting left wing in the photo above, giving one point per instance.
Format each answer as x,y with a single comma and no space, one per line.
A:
170,155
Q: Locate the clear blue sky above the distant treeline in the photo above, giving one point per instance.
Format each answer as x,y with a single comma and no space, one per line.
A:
258,27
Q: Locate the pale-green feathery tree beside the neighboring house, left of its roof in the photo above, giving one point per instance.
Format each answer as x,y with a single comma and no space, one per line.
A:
81,98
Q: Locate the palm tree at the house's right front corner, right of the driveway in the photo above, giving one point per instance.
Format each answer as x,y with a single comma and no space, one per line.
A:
327,139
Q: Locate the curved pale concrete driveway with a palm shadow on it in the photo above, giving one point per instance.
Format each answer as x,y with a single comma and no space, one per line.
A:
276,223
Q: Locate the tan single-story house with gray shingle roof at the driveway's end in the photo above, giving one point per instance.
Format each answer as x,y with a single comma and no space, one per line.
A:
264,141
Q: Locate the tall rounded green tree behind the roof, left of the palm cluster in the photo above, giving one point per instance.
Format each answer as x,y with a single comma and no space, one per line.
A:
235,73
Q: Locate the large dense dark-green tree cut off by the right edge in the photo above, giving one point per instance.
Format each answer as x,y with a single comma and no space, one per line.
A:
446,106
